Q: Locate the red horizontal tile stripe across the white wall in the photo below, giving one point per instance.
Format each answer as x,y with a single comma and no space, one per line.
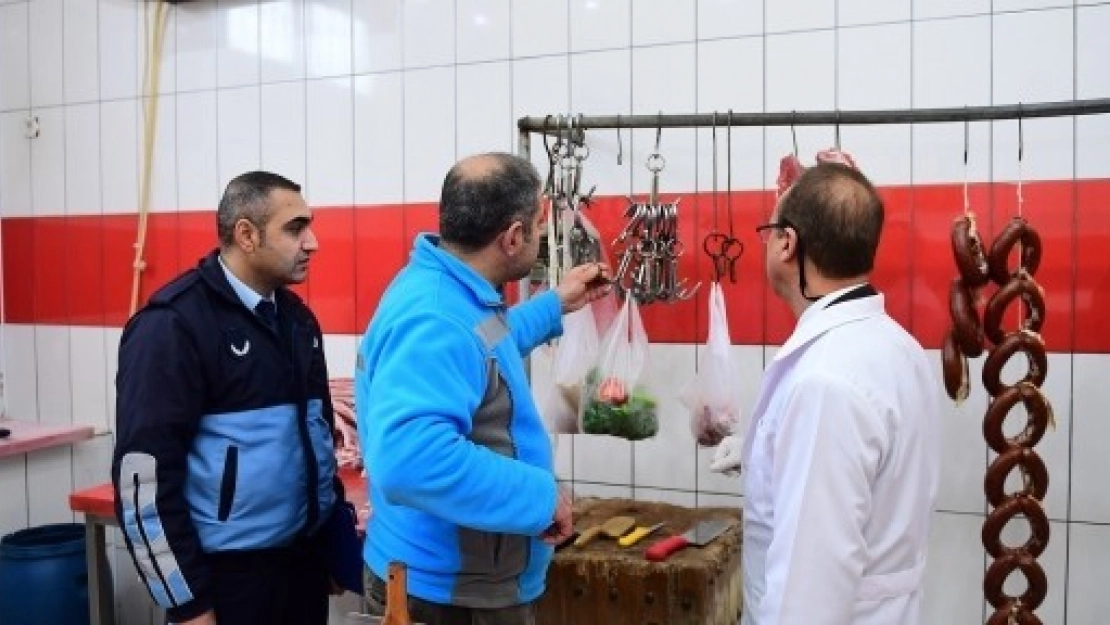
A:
77,270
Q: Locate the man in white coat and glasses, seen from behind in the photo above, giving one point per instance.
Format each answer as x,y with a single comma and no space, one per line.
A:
842,455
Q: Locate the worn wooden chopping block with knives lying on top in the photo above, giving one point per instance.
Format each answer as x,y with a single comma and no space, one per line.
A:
606,583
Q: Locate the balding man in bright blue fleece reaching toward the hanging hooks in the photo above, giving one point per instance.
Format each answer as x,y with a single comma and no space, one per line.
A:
460,466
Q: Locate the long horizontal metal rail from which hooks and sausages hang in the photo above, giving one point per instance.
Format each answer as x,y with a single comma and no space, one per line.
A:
557,124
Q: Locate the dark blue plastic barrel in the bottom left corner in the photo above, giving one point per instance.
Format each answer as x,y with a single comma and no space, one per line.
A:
44,580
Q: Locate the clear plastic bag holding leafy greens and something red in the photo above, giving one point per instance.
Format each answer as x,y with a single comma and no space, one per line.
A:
613,402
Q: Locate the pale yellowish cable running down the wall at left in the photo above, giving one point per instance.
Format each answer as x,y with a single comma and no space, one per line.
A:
150,93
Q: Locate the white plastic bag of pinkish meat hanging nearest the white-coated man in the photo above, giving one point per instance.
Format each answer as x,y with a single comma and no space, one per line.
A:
713,398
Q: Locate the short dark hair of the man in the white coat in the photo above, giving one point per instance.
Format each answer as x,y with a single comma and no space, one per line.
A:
839,216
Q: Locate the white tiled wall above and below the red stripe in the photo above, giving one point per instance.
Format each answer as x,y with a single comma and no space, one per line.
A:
371,103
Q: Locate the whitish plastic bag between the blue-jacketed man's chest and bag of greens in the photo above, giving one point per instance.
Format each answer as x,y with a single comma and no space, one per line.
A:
574,356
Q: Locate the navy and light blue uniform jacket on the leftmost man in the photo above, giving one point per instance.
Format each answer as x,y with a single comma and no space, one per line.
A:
224,434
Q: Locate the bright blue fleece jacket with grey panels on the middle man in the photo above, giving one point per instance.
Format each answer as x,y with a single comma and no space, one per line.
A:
460,465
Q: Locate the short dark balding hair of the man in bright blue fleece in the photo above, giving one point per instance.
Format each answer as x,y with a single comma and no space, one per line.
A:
476,207
